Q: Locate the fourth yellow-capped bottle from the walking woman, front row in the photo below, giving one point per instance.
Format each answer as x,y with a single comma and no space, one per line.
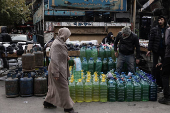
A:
95,90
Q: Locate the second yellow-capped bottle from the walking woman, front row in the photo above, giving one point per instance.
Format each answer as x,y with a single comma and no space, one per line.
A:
79,91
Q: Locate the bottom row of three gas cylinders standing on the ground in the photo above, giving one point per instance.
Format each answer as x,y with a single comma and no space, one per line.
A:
26,84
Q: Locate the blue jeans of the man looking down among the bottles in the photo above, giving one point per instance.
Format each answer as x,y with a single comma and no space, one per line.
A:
128,59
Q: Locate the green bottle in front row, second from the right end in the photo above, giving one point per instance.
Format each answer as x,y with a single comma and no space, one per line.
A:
145,90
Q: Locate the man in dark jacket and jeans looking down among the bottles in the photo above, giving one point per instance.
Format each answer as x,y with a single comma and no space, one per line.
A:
127,44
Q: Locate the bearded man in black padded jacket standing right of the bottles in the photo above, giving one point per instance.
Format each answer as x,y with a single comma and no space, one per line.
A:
157,43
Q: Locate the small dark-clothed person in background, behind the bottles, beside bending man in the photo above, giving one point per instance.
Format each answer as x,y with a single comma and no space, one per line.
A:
108,39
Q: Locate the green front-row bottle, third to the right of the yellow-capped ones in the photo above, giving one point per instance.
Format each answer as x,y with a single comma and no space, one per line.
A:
129,91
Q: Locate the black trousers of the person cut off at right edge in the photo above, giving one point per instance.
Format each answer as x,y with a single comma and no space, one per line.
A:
165,76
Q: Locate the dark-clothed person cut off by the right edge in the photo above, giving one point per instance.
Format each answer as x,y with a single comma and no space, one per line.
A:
166,69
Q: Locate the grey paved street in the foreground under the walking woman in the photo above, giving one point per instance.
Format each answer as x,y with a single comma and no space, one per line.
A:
34,105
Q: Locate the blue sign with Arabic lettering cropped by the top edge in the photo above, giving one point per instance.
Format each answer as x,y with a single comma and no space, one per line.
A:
102,5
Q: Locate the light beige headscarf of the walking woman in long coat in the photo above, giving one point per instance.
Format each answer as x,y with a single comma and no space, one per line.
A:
64,33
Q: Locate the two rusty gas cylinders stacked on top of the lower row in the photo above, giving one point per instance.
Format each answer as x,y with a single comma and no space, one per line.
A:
33,58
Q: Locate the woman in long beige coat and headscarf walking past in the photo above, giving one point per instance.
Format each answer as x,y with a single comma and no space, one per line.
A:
58,73
